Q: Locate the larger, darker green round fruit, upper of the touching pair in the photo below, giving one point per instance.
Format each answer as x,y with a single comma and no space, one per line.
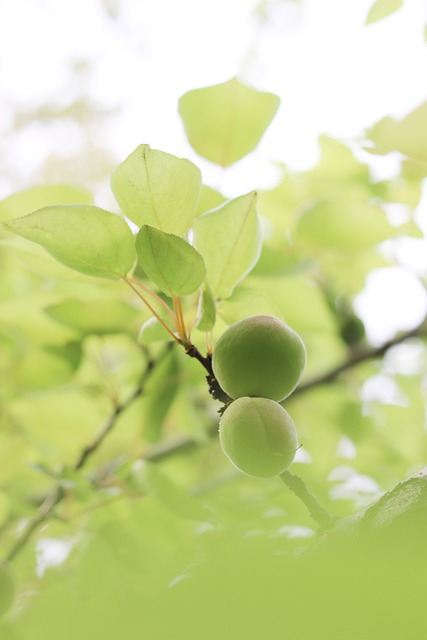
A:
259,356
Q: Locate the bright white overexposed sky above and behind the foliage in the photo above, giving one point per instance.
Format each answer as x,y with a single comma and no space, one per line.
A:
332,73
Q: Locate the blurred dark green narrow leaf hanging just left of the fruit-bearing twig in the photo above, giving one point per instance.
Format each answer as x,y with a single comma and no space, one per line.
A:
160,393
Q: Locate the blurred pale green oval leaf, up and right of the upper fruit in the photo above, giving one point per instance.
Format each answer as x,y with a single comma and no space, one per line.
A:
343,226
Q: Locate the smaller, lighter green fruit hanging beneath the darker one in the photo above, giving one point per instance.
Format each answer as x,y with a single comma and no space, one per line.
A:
258,436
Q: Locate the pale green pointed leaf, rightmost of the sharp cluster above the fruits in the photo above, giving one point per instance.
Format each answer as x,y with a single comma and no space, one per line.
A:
229,239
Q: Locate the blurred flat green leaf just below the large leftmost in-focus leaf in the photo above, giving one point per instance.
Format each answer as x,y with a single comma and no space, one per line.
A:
100,317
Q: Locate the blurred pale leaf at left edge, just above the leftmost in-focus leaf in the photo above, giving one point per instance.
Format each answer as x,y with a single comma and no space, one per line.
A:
24,202
